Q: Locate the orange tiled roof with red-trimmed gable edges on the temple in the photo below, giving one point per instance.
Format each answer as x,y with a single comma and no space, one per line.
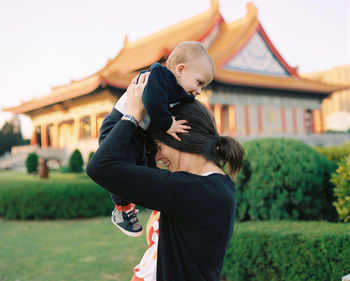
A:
141,53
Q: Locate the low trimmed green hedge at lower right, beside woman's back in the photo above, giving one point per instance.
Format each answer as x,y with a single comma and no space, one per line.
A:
288,251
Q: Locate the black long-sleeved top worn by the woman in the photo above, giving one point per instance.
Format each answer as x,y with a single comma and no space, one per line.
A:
197,212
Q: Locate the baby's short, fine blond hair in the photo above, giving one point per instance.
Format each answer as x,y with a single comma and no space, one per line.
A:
188,51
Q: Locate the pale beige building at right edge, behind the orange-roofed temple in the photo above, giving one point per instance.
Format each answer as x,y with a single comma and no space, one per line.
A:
335,109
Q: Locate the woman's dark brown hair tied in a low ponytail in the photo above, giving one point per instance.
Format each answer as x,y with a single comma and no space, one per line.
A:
203,137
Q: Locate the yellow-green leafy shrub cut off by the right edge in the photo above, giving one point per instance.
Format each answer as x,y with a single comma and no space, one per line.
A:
341,179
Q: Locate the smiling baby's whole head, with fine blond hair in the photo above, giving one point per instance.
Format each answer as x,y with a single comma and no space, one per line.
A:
192,66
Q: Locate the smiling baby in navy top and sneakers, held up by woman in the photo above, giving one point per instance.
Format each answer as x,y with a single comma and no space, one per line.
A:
188,69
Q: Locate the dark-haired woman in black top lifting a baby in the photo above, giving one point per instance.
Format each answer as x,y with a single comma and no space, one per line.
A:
195,197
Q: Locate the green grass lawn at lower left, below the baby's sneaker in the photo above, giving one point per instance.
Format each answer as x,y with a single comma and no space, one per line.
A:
87,249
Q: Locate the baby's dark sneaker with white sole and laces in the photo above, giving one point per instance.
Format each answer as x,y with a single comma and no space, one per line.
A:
127,221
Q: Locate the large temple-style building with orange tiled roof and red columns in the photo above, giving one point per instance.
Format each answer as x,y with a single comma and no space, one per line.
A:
255,92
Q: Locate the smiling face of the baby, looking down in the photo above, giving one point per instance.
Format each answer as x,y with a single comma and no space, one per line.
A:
195,76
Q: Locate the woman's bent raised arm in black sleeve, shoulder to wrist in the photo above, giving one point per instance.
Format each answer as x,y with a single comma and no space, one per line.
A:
144,186
